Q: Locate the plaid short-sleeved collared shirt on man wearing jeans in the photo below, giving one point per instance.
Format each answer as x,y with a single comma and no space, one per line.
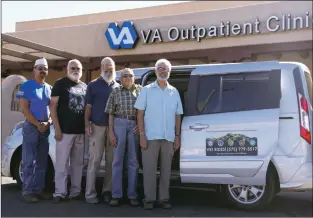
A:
122,100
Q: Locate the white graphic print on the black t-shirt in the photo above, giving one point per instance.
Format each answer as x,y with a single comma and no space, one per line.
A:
77,99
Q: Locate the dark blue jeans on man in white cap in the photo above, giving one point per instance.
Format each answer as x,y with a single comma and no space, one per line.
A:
35,153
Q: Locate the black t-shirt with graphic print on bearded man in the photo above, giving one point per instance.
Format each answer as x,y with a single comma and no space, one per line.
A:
71,105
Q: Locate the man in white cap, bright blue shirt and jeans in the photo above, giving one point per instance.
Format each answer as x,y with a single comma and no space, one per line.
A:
35,95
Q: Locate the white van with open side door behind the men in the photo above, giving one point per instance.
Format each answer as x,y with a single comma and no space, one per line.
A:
246,130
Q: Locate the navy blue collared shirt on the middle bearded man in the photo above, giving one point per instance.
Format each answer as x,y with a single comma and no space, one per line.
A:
98,92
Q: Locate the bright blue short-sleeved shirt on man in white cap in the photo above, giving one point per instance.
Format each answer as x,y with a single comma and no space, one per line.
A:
39,96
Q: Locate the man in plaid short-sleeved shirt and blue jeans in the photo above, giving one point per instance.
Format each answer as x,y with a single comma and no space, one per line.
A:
123,133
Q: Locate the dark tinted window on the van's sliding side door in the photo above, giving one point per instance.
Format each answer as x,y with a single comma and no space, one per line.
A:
237,92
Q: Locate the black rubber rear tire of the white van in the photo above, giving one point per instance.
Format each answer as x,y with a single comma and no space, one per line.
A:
268,193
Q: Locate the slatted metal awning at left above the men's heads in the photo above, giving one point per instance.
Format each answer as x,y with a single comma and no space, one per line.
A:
20,54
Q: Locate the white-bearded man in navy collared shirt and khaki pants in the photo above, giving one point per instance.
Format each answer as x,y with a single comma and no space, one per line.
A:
96,127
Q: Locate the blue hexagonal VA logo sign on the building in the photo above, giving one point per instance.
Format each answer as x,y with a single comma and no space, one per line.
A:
124,37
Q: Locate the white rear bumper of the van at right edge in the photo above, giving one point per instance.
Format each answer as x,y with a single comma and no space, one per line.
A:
301,181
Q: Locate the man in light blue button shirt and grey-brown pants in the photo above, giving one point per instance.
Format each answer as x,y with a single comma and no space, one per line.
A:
159,120
